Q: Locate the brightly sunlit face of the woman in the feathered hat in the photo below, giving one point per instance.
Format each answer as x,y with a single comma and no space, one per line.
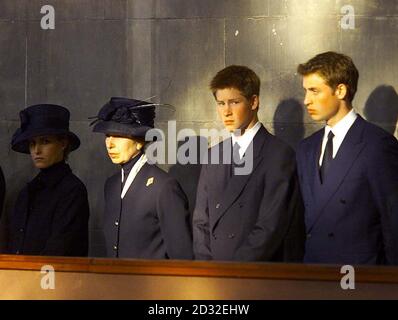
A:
121,149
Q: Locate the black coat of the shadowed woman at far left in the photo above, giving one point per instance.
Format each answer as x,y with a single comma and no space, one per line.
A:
51,215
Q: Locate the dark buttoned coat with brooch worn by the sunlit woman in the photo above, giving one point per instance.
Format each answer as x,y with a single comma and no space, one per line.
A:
152,220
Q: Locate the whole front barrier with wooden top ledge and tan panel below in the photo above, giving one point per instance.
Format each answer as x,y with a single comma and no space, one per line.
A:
124,278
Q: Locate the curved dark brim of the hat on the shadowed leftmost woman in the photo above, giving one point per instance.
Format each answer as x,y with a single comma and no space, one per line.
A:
21,142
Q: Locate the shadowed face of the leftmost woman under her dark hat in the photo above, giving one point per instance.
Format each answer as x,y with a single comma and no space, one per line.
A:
47,150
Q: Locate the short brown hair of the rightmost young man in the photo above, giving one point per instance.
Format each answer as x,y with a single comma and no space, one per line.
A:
335,68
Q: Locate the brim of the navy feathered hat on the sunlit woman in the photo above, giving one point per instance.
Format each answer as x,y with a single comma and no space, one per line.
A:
124,130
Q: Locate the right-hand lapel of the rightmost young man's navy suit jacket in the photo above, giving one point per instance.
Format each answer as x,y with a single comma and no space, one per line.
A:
345,158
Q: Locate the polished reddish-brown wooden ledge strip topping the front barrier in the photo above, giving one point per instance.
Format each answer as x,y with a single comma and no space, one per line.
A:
272,271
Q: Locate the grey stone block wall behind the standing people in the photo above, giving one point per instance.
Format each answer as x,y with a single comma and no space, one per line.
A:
170,49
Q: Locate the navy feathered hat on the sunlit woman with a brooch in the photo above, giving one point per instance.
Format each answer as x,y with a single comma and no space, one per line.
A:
125,117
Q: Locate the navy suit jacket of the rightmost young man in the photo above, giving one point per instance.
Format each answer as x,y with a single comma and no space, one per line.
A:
347,218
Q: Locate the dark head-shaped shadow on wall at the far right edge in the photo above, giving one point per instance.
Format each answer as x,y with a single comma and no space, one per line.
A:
381,108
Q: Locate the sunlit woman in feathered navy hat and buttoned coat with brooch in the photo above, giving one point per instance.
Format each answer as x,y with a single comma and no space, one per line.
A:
146,211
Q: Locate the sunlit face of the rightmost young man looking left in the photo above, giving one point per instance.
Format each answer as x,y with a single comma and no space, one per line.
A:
322,102
